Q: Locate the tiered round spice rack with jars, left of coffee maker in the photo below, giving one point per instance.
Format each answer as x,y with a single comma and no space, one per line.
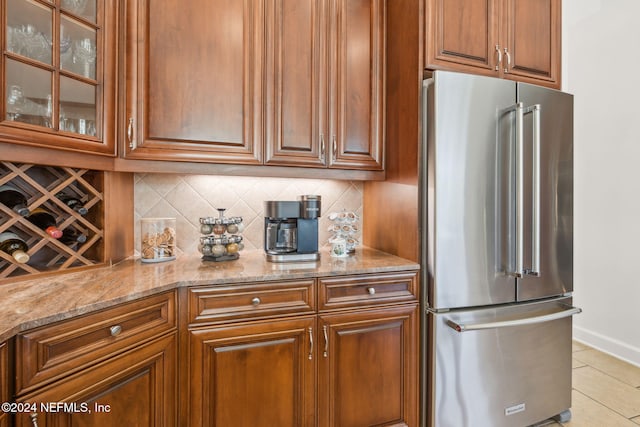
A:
222,240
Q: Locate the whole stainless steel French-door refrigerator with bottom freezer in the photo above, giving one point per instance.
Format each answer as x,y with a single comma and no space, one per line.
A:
497,251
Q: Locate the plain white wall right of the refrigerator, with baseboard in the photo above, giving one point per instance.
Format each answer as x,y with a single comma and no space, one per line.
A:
601,66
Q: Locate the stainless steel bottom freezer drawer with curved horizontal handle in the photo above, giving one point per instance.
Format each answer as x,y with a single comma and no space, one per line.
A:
500,367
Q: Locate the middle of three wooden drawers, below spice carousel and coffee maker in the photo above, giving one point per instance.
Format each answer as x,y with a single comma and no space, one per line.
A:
213,304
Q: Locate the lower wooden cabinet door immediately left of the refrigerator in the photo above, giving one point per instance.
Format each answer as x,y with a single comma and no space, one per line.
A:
368,368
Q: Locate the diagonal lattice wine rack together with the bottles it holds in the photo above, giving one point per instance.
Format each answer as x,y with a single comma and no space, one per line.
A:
42,219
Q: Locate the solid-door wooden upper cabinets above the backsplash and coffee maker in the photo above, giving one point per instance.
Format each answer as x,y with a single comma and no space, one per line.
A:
290,83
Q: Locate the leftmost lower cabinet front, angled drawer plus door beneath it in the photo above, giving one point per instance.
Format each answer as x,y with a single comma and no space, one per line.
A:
110,368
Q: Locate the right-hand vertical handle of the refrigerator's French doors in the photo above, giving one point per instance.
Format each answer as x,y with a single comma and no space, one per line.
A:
535,214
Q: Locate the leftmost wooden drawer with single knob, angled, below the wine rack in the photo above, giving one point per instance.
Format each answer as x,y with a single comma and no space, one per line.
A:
47,353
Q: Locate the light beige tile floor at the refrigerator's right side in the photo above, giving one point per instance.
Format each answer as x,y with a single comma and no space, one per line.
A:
606,391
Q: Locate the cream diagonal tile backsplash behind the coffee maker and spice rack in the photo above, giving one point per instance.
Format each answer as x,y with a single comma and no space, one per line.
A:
189,197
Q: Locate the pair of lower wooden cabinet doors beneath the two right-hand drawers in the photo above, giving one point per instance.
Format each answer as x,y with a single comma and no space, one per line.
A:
264,373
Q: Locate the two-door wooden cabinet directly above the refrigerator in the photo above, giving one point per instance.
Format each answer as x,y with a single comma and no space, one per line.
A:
518,40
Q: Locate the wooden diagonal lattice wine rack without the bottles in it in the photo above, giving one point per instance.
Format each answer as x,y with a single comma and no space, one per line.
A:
41,184
